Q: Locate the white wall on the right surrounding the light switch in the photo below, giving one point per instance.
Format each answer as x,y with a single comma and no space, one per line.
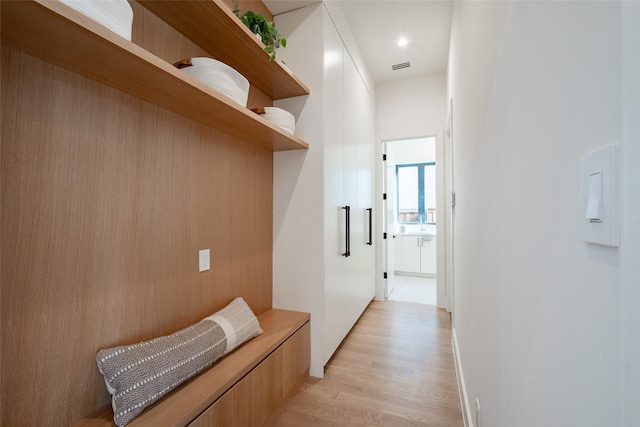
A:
539,312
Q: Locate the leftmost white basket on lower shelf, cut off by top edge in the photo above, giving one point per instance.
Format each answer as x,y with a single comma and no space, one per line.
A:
116,15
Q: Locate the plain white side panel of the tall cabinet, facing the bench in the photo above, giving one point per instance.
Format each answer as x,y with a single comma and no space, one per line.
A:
298,197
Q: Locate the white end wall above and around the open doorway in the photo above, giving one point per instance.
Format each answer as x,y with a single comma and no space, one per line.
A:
410,108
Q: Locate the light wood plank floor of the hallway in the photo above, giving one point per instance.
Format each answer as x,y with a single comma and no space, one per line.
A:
394,369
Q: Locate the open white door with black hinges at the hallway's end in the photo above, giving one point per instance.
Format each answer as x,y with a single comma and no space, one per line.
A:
388,204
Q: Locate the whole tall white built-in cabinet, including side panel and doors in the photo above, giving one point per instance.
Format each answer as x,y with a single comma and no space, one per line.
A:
310,271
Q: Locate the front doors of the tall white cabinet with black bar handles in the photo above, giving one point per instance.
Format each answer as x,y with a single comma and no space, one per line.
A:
350,135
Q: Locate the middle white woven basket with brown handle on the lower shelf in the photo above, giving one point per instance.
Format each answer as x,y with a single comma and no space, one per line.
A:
218,76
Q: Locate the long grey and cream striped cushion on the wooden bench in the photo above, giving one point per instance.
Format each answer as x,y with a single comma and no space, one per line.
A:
138,375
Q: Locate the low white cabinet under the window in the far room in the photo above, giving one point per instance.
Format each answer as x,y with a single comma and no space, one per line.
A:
416,254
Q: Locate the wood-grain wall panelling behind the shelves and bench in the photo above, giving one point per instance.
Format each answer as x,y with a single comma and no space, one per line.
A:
106,201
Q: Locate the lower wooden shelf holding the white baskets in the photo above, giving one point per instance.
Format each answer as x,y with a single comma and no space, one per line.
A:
57,34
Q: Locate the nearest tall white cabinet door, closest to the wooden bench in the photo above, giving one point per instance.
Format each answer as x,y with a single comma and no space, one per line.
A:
334,192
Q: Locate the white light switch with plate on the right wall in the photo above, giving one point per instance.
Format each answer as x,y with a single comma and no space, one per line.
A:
606,229
